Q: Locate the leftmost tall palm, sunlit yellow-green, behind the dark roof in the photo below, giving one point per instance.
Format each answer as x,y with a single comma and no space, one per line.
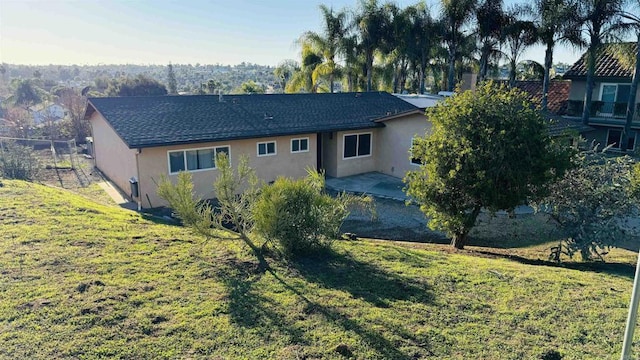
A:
328,42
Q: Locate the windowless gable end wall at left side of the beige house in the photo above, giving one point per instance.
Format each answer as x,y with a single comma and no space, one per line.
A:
112,156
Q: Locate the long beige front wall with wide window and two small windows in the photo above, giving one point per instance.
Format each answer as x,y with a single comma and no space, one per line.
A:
153,163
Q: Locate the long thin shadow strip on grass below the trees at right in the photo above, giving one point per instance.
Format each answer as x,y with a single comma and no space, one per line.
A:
612,268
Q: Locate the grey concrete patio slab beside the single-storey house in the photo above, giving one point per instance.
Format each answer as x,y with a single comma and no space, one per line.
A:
374,183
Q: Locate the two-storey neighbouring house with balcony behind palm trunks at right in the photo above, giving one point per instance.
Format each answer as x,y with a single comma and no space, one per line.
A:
611,92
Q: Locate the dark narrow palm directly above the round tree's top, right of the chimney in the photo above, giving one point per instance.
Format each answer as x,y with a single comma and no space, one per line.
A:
489,23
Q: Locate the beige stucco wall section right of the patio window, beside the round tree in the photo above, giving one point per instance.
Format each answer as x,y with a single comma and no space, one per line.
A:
394,142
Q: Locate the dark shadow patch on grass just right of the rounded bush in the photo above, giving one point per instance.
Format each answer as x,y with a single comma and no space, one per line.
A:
362,280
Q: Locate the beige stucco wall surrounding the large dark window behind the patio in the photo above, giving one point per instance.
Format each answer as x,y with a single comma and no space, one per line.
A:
358,165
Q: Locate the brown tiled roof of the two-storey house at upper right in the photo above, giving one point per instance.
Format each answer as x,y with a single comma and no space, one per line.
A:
608,64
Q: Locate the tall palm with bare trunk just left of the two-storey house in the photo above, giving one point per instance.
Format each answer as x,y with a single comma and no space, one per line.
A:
555,22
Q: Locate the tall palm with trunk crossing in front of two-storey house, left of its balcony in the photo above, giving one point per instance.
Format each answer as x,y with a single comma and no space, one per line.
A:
600,19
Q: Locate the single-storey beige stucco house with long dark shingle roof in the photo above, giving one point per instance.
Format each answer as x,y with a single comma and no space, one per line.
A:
144,138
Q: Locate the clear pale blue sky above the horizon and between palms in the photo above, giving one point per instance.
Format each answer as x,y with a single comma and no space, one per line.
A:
163,31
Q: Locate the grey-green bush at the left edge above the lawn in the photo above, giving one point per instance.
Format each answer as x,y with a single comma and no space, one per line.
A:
18,162
